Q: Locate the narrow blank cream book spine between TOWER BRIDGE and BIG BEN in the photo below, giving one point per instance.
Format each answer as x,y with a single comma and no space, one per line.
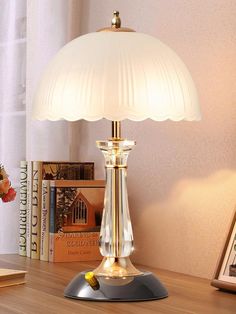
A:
29,209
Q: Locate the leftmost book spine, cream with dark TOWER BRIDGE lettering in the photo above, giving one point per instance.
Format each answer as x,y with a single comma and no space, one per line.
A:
23,208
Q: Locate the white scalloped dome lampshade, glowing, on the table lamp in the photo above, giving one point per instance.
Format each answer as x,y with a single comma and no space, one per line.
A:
116,75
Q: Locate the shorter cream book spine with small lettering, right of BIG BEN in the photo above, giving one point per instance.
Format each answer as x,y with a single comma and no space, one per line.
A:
45,220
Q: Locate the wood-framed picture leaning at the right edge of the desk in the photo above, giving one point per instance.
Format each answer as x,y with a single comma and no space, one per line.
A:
225,275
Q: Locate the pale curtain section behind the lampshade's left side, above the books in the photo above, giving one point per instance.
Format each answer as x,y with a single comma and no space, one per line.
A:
49,27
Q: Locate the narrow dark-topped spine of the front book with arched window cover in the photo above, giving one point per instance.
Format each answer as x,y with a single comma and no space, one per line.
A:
52,221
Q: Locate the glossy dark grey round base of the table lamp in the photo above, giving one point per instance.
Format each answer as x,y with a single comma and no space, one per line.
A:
142,287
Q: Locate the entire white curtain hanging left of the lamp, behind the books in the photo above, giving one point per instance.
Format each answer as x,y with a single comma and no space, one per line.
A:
31,32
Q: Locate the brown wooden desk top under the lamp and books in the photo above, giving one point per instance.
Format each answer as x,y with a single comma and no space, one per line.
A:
43,293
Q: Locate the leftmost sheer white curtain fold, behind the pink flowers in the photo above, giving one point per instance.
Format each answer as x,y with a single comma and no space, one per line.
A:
12,110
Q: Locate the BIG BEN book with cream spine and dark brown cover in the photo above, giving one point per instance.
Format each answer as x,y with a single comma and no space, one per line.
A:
43,170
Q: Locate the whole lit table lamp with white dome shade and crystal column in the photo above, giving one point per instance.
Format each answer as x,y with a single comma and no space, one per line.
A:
116,74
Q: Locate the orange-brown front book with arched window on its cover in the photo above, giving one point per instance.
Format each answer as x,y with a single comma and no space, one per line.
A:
75,219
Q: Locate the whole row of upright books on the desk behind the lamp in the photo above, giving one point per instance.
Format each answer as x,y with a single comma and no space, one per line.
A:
60,211
